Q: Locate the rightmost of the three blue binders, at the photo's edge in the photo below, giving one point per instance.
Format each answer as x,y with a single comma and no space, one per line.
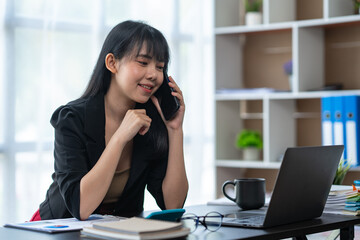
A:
352,123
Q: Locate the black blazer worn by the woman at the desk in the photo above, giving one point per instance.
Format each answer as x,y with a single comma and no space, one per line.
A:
79,143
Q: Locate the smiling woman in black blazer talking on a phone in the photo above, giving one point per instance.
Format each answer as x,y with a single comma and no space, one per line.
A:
114,141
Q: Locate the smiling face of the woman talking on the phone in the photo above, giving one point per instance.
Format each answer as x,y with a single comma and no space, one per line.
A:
139,76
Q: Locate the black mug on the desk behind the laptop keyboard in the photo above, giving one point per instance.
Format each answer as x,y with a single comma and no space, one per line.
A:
249,192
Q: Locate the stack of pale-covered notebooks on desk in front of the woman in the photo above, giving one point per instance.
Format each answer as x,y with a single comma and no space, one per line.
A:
136,228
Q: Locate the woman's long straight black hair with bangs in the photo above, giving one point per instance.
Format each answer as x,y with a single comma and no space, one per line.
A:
124,40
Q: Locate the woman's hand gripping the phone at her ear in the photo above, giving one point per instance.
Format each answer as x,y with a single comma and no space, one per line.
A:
177,120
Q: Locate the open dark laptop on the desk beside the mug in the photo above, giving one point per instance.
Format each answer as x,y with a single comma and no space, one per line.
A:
301,189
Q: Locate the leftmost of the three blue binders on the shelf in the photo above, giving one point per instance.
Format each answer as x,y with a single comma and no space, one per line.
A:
326,121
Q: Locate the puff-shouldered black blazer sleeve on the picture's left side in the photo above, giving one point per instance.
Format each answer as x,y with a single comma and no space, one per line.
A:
71,161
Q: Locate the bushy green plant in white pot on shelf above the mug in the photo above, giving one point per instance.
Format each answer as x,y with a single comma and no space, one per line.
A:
250,142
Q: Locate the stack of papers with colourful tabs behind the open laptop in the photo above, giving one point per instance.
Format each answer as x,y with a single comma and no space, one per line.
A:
343,200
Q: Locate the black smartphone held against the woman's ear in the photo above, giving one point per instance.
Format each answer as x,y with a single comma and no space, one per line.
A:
169,104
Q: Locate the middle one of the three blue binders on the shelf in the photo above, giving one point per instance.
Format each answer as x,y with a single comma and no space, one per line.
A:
339,122
